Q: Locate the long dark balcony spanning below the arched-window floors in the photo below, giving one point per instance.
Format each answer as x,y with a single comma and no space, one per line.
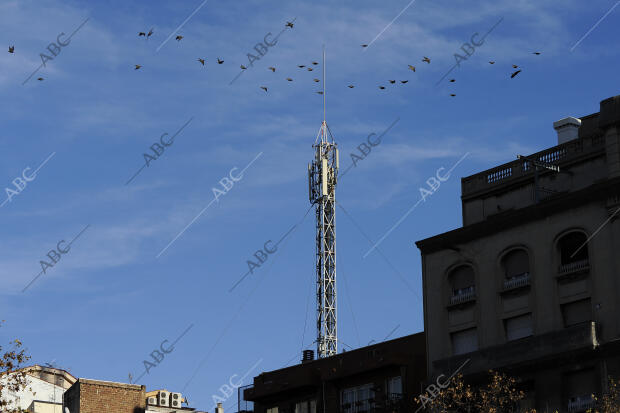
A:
530,352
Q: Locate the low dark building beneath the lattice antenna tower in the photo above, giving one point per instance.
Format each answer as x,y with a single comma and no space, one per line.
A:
384,377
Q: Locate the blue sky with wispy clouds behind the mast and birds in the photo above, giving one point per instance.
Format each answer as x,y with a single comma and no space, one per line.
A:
110,301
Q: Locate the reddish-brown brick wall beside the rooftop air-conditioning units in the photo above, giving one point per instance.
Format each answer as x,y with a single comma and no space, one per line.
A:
94,396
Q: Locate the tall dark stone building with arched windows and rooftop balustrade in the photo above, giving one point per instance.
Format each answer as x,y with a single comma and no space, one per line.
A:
531,282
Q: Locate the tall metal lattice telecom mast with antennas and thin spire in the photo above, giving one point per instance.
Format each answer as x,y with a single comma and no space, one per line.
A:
322,176
